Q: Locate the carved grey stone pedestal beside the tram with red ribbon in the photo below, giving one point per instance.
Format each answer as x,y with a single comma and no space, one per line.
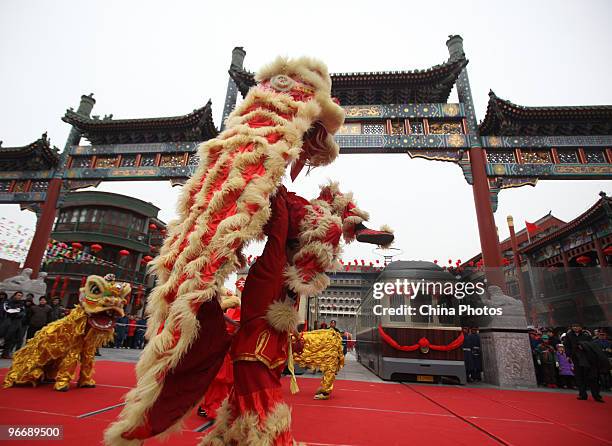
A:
506,357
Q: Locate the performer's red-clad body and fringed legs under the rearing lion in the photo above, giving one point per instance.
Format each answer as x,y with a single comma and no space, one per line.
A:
259,350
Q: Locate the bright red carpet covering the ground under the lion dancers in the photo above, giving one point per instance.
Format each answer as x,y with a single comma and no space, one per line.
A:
358,414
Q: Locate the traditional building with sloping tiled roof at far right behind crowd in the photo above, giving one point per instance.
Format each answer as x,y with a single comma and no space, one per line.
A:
564,268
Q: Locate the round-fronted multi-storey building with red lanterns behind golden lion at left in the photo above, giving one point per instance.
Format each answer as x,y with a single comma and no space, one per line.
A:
100,233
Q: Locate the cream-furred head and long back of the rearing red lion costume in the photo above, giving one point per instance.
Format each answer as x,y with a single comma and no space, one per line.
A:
224,206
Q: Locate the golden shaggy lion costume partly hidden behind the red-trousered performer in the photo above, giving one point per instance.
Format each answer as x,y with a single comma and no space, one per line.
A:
322,350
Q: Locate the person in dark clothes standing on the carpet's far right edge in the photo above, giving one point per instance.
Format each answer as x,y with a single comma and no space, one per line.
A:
585,368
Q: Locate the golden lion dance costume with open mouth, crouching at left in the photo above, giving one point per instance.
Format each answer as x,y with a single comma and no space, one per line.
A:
57,349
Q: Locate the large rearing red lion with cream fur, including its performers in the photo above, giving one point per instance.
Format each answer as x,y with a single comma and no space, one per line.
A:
234,197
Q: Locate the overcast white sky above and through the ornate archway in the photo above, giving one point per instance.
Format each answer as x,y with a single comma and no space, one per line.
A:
160,58
